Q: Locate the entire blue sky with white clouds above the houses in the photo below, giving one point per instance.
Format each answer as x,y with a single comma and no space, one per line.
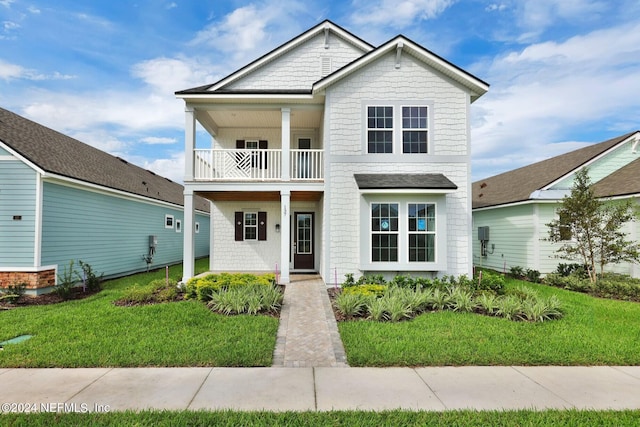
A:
563,73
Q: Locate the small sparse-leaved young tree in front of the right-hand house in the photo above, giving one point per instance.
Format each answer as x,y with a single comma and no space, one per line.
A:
594,227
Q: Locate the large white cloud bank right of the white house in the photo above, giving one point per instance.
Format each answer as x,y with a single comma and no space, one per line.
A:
548,90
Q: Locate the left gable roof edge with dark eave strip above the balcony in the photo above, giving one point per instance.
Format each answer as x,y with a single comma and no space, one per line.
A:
324,26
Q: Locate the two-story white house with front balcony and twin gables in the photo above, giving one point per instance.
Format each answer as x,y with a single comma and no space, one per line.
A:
334,156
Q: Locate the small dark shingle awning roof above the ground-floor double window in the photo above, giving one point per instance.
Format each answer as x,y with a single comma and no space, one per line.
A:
424,181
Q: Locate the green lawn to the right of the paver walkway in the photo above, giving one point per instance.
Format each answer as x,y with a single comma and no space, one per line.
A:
593,331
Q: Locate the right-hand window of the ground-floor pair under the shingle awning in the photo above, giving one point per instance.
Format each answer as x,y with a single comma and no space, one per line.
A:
422,232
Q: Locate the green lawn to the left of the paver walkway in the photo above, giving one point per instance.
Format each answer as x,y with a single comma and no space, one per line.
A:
93,332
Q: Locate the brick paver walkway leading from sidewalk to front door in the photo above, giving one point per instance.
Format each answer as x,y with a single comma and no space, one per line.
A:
308,334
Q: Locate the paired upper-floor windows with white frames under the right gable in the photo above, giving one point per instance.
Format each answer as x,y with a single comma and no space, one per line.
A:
410,126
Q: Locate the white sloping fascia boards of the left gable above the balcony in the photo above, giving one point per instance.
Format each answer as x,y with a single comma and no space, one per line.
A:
287,47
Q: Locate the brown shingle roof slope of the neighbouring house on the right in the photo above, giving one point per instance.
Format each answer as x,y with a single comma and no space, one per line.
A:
517,185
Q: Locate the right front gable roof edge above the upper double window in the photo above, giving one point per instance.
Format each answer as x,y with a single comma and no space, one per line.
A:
403,45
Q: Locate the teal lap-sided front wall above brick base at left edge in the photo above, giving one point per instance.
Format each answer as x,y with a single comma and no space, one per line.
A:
17,198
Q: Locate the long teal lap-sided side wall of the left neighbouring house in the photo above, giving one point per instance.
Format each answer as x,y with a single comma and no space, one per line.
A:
110,233
